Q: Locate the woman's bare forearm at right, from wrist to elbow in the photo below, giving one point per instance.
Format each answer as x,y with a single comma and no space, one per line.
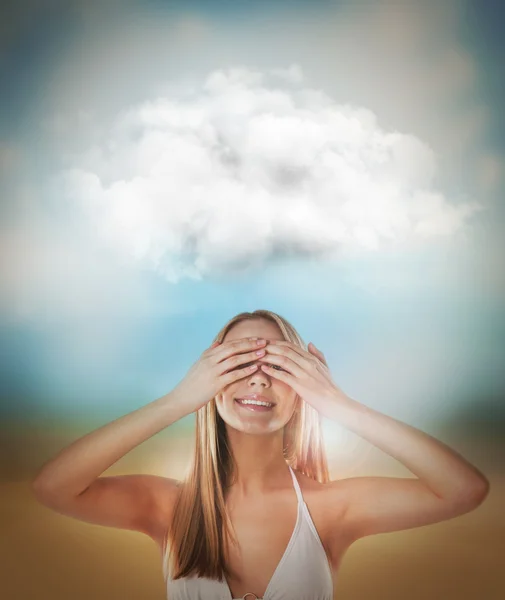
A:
442,469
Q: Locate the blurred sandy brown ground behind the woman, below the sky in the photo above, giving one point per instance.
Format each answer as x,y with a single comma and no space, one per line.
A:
45,555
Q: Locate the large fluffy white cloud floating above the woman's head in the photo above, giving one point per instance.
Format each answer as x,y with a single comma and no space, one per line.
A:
251,164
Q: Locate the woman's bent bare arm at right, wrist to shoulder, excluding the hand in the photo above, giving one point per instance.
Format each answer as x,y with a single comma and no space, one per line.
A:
446,485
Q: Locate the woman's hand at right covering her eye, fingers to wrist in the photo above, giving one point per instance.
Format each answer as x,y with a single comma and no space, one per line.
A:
305,372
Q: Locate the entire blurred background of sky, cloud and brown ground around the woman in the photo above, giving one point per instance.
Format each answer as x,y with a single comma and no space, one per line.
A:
165,165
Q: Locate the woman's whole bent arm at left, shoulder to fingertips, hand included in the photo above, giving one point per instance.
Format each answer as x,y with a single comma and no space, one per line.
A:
70,483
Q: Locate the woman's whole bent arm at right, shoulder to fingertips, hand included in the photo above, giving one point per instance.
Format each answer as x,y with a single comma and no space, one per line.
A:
447,485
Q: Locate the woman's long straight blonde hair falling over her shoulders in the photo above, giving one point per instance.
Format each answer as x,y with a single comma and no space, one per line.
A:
197,537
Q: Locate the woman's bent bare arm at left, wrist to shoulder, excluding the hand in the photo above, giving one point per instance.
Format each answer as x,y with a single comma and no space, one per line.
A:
70,483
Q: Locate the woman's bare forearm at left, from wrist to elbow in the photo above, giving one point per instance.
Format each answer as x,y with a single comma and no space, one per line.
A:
75,467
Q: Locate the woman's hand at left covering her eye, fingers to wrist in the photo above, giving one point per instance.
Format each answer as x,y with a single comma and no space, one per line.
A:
215,369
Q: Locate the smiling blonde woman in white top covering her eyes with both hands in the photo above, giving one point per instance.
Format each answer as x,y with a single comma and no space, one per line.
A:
257,517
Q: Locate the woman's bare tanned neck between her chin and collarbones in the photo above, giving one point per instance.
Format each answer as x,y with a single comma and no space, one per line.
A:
259,460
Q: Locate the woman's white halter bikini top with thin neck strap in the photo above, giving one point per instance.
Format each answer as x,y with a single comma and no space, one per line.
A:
303,573
